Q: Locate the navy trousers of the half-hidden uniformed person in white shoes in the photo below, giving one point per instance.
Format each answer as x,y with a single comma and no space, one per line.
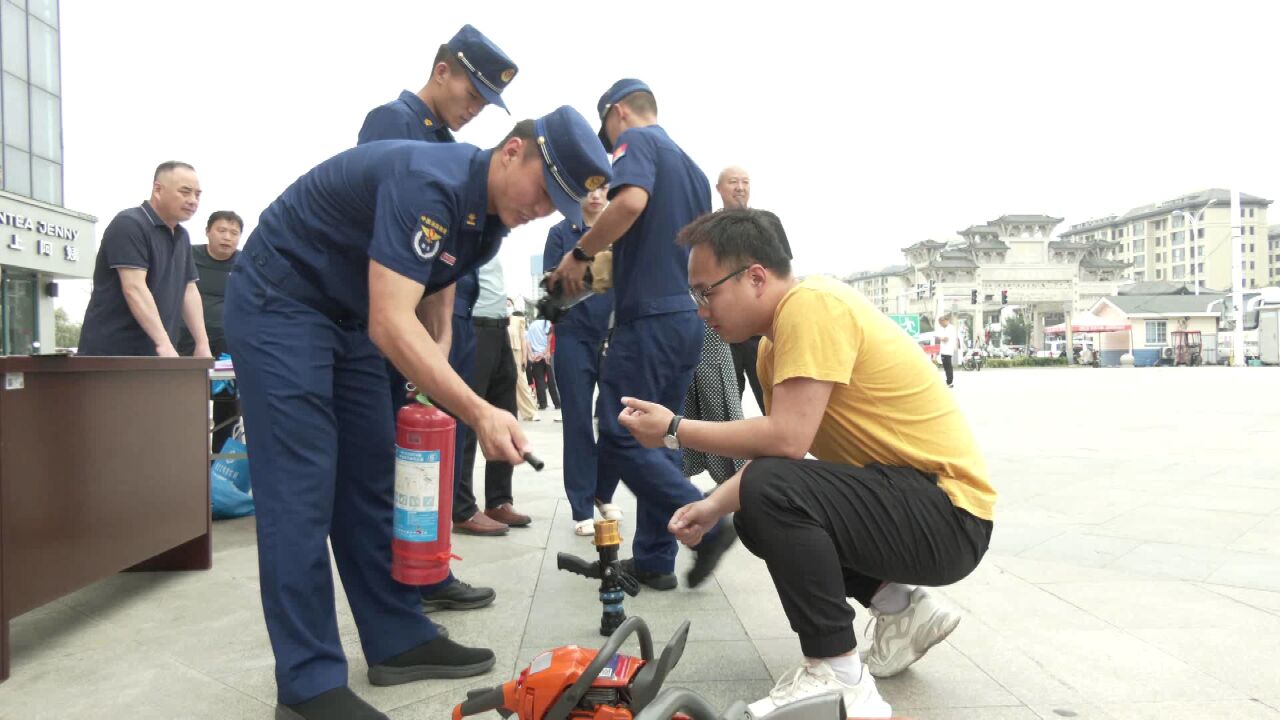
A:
578,370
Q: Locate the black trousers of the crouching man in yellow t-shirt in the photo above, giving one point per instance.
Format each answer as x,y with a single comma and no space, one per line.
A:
829,532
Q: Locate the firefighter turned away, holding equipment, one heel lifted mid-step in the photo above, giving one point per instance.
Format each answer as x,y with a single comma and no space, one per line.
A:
657,339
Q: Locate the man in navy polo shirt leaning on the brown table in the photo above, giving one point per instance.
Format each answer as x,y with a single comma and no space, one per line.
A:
145,277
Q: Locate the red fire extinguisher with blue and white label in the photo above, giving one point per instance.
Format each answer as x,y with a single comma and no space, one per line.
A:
424,494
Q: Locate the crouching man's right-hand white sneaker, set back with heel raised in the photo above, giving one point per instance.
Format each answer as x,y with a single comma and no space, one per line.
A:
902,639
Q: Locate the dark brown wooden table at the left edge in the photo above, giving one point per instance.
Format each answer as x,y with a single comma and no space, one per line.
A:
104,467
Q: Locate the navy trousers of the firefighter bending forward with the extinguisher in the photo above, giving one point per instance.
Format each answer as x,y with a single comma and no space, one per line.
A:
318,417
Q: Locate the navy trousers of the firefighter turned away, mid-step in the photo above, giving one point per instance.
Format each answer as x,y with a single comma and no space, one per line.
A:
651,358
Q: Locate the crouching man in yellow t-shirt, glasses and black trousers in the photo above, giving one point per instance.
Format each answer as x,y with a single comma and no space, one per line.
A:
899,494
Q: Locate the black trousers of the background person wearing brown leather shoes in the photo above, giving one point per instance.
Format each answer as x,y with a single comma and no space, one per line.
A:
495,380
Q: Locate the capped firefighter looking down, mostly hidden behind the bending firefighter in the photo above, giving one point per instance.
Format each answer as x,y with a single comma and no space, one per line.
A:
459,89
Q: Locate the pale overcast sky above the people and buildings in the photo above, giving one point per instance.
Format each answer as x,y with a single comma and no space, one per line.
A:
867,127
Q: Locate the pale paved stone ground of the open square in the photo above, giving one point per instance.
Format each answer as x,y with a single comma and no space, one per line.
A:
1135,573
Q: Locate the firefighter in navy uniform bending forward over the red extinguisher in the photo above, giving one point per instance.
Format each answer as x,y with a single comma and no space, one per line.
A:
327,286
